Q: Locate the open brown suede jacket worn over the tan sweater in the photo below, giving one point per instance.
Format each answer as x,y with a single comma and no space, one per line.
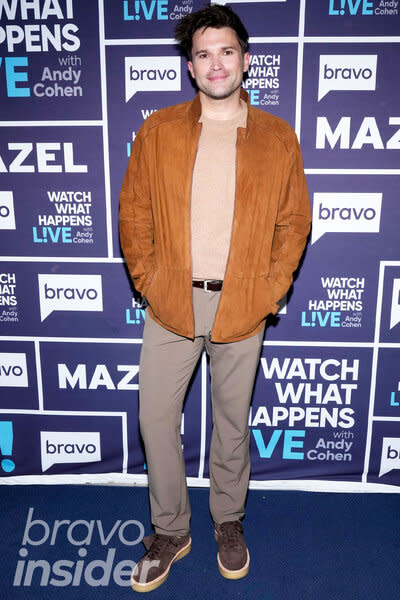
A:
270,226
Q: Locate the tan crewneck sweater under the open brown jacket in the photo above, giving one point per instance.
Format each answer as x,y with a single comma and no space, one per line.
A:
213,195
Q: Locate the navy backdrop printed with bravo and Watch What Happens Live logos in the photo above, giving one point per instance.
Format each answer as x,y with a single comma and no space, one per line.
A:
77,80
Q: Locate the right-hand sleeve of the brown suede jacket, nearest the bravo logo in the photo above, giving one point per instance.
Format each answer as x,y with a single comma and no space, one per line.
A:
292,225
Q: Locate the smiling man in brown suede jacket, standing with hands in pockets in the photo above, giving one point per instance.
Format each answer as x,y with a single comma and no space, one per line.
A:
214,219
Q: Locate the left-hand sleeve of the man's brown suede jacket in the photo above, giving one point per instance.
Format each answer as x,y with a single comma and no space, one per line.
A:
136,225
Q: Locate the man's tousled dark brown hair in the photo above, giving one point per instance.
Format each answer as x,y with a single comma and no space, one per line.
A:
212,15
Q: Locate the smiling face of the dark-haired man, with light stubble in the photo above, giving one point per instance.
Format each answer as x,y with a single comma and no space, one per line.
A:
217,62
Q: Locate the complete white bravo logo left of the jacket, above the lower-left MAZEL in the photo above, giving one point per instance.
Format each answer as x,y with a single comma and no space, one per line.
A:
69,292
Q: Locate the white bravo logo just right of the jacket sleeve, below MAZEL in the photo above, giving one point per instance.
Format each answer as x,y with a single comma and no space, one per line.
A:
345,213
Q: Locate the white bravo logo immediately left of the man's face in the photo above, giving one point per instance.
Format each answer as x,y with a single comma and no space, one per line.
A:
152,74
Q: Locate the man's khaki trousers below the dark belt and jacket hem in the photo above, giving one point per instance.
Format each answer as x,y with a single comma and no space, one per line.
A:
167,363
